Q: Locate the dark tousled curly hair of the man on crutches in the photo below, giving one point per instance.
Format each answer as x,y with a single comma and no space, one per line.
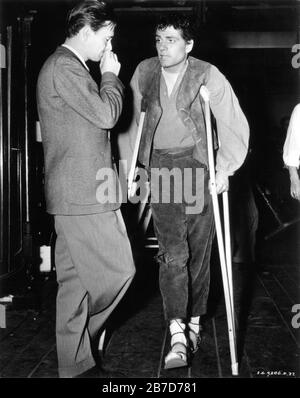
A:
179,22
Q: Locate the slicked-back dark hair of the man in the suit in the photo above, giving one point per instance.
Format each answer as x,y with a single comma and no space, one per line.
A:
94,13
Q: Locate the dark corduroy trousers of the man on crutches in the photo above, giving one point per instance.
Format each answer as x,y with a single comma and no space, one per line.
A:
184,239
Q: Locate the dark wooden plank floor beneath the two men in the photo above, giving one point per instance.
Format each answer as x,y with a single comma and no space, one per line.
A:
268,344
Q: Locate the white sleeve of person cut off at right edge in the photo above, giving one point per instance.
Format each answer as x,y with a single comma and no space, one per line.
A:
291,148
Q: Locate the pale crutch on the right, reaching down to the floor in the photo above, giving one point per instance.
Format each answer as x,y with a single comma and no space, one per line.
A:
224,251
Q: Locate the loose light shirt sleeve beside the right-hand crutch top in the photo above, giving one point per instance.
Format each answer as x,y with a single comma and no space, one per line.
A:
232,125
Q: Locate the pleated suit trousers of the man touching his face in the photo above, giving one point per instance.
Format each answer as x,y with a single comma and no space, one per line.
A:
94,267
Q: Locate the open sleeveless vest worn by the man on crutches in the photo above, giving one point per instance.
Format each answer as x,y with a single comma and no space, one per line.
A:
189,104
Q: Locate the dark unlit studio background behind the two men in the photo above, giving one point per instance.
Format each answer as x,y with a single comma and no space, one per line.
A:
258,65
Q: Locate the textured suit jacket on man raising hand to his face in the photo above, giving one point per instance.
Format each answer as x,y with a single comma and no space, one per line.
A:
75,117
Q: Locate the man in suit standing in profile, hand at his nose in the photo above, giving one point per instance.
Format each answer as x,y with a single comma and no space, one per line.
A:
93,256
